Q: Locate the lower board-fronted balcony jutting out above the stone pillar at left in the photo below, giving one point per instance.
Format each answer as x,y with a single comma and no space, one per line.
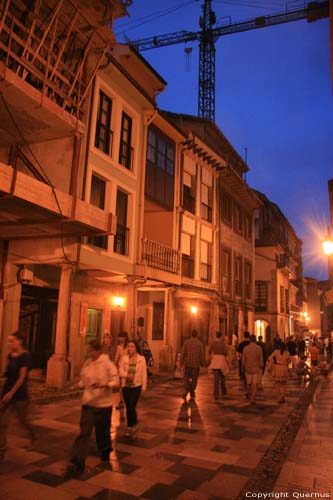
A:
32,209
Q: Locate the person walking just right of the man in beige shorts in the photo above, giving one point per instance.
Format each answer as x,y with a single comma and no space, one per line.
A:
278,366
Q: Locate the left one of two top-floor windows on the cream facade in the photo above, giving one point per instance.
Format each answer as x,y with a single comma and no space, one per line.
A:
104,134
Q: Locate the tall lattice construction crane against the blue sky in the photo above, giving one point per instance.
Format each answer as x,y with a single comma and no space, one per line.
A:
208,35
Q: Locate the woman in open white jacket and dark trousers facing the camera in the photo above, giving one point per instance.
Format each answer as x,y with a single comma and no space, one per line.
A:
133,373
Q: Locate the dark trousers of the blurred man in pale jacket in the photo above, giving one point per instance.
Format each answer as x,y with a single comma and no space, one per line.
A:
92,417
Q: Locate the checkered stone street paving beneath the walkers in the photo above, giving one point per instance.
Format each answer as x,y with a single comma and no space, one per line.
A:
202,450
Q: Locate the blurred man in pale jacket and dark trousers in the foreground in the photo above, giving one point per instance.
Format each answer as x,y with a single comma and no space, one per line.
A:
99,376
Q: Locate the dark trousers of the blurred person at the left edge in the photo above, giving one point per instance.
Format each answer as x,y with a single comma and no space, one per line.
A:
22,411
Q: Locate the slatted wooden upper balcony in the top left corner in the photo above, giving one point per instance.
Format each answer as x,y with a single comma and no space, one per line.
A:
44,76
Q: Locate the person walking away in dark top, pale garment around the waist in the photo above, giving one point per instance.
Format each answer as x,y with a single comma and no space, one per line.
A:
219,364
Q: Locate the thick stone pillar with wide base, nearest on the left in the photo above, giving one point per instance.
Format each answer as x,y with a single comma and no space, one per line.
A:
57,365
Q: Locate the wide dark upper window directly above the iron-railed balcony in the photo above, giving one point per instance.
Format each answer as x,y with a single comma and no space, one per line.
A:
160,168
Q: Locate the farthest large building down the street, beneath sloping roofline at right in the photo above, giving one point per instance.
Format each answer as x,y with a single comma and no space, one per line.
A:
278,274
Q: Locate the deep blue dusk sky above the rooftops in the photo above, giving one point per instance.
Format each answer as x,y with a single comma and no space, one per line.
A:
273,99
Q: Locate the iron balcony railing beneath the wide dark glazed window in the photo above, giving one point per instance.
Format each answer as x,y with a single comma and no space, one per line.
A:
160,257
